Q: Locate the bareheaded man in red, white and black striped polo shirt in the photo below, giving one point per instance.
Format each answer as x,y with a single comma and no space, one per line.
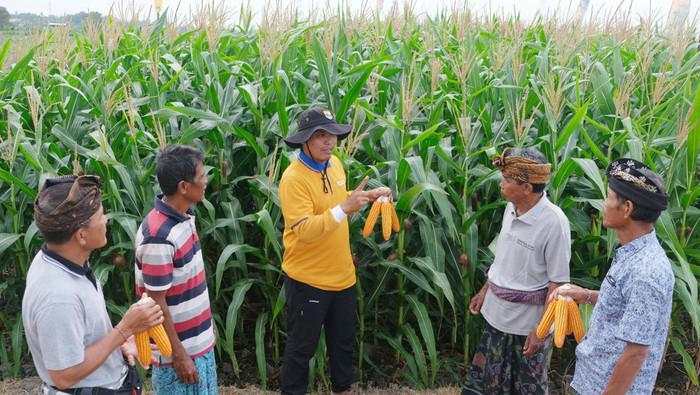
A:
169,266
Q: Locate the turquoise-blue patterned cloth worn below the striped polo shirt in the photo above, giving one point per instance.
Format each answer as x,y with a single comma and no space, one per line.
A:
166,382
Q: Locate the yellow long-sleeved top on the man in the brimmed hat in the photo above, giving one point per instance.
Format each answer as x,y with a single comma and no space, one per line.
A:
316,245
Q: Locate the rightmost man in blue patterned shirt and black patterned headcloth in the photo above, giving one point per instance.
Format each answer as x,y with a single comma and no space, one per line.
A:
624,346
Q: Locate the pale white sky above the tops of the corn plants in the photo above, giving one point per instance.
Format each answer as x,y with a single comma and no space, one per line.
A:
525,8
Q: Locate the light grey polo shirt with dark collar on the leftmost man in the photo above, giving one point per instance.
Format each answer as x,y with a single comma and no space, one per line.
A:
64,312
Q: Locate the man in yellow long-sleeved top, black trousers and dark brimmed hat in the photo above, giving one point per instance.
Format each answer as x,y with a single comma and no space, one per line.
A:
320,274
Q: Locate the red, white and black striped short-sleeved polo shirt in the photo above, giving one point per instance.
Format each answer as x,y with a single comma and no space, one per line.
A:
169,257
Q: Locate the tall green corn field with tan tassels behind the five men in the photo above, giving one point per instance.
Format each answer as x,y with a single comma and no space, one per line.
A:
431,100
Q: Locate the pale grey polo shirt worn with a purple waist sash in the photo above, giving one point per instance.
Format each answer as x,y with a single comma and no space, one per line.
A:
532,250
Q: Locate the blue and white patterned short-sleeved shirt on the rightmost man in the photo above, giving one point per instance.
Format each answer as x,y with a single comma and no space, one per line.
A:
634,306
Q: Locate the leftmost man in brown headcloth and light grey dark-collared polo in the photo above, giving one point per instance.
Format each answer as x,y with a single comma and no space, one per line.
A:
73,344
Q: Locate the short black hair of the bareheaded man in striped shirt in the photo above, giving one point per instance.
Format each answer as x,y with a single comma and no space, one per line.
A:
177,163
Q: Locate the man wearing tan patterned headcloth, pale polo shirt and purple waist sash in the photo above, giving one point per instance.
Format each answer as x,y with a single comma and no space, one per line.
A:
531,260
